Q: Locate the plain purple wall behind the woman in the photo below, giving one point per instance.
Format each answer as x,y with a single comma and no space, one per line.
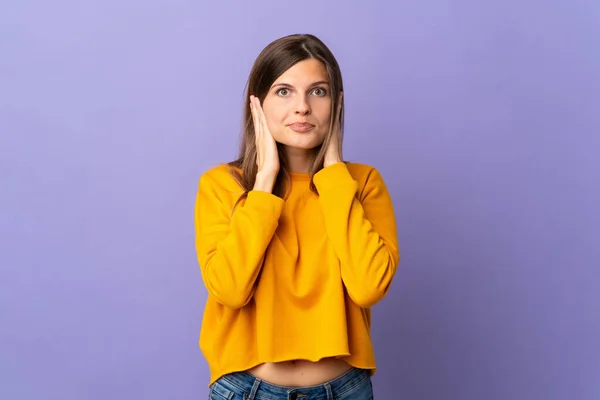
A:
483,117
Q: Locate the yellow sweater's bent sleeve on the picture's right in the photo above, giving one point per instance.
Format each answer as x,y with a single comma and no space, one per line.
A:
362,232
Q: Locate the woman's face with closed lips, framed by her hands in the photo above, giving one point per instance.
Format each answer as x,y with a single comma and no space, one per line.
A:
298,105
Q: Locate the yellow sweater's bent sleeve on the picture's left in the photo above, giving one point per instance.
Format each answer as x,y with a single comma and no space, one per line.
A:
231,248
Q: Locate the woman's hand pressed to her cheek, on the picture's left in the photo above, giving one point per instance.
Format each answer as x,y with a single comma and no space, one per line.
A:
267,157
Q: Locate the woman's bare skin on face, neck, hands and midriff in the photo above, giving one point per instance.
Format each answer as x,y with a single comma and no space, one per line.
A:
300,94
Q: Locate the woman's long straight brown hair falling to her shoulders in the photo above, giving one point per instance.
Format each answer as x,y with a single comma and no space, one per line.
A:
271,63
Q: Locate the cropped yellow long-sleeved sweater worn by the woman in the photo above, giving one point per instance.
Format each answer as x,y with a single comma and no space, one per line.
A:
293,279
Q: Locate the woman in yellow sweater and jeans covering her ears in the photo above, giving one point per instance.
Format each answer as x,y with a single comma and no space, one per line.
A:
294,244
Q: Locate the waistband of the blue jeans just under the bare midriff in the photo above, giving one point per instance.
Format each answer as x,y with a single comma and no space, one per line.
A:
258,388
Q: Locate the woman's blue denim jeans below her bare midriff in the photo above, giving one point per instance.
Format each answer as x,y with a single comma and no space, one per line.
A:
354,384
